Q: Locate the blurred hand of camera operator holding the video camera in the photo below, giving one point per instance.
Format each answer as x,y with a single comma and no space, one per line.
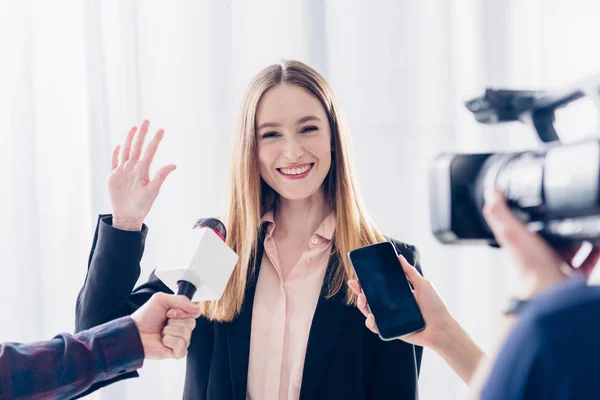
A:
541,267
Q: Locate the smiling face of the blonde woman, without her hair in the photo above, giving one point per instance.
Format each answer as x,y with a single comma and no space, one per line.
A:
294,141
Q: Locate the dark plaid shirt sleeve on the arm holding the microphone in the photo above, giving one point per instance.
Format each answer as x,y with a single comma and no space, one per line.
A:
68,365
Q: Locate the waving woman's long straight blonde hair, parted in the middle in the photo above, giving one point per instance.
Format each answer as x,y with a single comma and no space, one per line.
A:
250,197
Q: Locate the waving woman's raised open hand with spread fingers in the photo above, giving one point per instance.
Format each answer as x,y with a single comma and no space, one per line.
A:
131,191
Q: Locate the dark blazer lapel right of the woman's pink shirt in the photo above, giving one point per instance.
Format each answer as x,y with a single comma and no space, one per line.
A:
325,328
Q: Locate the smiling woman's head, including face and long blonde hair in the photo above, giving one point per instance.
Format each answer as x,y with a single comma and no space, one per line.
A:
283,95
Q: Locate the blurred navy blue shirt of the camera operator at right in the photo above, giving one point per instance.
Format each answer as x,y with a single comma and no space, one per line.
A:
554,350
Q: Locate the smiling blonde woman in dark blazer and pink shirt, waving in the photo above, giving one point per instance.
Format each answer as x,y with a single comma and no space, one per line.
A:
286,326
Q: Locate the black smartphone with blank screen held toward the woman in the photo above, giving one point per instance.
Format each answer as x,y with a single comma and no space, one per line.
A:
388,292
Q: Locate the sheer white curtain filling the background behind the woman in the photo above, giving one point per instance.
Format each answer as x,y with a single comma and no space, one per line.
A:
76,75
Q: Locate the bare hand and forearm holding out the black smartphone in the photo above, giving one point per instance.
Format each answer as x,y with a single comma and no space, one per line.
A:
442,332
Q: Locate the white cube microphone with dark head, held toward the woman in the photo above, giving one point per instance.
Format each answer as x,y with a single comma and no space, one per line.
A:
207,268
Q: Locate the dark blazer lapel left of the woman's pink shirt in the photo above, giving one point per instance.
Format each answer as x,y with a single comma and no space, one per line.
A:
238,334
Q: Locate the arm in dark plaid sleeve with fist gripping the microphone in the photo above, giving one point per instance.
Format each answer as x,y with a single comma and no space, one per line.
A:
68,365
